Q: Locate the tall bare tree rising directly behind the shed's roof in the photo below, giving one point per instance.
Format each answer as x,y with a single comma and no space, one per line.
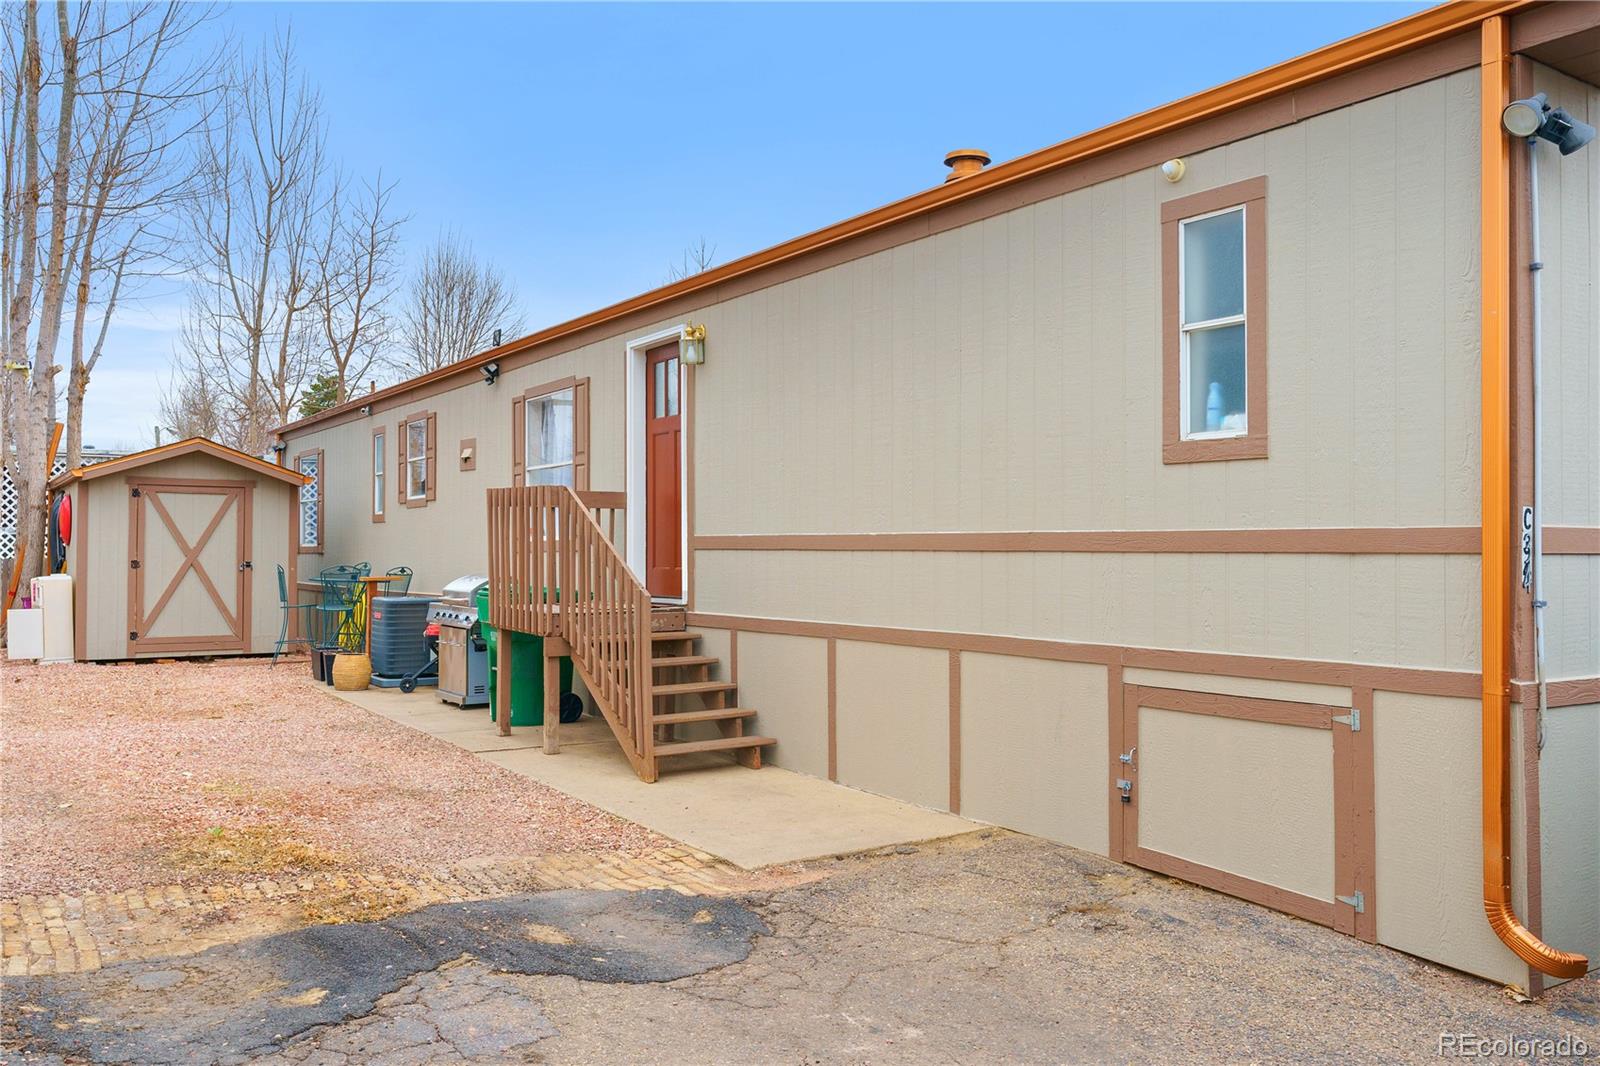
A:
255,226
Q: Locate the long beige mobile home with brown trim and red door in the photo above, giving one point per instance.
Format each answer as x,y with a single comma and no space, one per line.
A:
1169,492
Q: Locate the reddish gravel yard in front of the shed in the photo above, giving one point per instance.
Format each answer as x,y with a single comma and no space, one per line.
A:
118,777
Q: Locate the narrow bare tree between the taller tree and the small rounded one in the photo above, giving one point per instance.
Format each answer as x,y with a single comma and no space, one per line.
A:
356,266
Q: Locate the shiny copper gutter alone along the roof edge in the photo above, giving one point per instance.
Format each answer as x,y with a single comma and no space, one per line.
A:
1354,52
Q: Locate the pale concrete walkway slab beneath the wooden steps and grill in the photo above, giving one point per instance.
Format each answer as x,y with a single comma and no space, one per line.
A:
746,817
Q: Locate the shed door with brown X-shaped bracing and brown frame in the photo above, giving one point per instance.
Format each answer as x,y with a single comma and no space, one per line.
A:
190,566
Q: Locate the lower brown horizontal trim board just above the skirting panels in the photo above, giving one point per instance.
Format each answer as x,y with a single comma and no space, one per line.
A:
1410,679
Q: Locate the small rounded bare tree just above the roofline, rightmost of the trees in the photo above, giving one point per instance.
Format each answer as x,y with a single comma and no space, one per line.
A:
454,308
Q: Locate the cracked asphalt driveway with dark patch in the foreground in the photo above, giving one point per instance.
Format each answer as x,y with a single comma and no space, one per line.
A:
982,950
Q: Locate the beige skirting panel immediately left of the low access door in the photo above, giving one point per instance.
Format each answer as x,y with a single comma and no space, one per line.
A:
1034,740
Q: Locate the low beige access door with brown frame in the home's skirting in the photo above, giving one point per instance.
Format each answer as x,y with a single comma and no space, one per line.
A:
1263,799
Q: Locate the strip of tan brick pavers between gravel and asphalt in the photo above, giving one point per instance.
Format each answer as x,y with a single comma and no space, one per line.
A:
81,934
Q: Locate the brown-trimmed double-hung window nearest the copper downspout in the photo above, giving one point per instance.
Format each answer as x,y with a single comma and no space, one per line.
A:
1214,249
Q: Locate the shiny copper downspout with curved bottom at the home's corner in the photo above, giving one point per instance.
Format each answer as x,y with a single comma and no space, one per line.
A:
1497,508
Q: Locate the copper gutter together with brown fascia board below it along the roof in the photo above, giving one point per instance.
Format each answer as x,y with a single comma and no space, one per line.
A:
1423,47
